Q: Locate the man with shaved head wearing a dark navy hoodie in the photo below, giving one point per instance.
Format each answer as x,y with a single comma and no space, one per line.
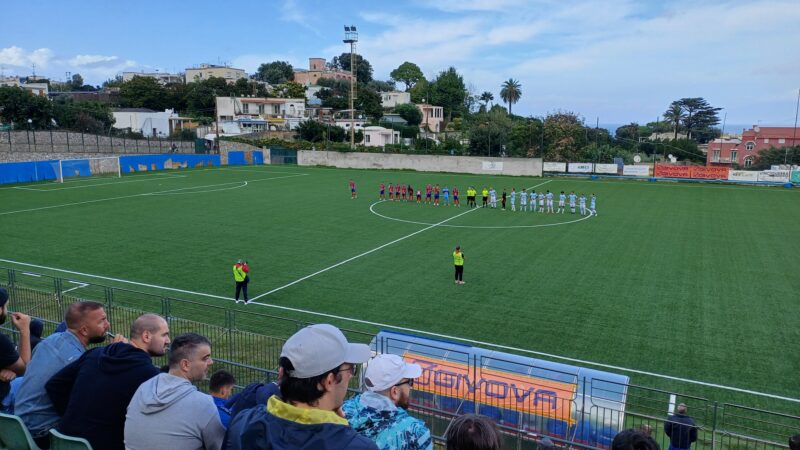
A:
92,393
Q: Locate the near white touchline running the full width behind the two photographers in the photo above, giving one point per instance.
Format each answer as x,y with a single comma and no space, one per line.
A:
439,335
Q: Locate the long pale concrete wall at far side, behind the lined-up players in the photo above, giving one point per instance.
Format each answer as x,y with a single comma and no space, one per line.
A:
423,163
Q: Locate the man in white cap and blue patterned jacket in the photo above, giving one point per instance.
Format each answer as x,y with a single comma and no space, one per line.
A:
380,412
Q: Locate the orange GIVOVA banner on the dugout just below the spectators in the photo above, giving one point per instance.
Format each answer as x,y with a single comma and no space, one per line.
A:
506,390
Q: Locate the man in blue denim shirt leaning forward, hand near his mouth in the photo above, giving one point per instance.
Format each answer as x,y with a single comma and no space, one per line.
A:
86,324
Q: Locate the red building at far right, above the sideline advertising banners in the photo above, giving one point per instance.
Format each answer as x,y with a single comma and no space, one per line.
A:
745,150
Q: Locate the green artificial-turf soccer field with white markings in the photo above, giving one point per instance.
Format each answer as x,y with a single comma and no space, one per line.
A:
697,282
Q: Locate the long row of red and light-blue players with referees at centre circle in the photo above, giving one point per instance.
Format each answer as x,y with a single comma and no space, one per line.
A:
542,202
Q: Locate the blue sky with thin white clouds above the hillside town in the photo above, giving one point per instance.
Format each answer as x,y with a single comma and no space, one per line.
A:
616,61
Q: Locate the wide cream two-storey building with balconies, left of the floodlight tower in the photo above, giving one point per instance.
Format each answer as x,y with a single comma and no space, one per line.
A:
277,113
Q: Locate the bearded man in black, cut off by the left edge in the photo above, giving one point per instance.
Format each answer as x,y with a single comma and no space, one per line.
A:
12,361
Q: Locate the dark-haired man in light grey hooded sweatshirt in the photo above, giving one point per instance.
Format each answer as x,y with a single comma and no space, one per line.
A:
167,411
